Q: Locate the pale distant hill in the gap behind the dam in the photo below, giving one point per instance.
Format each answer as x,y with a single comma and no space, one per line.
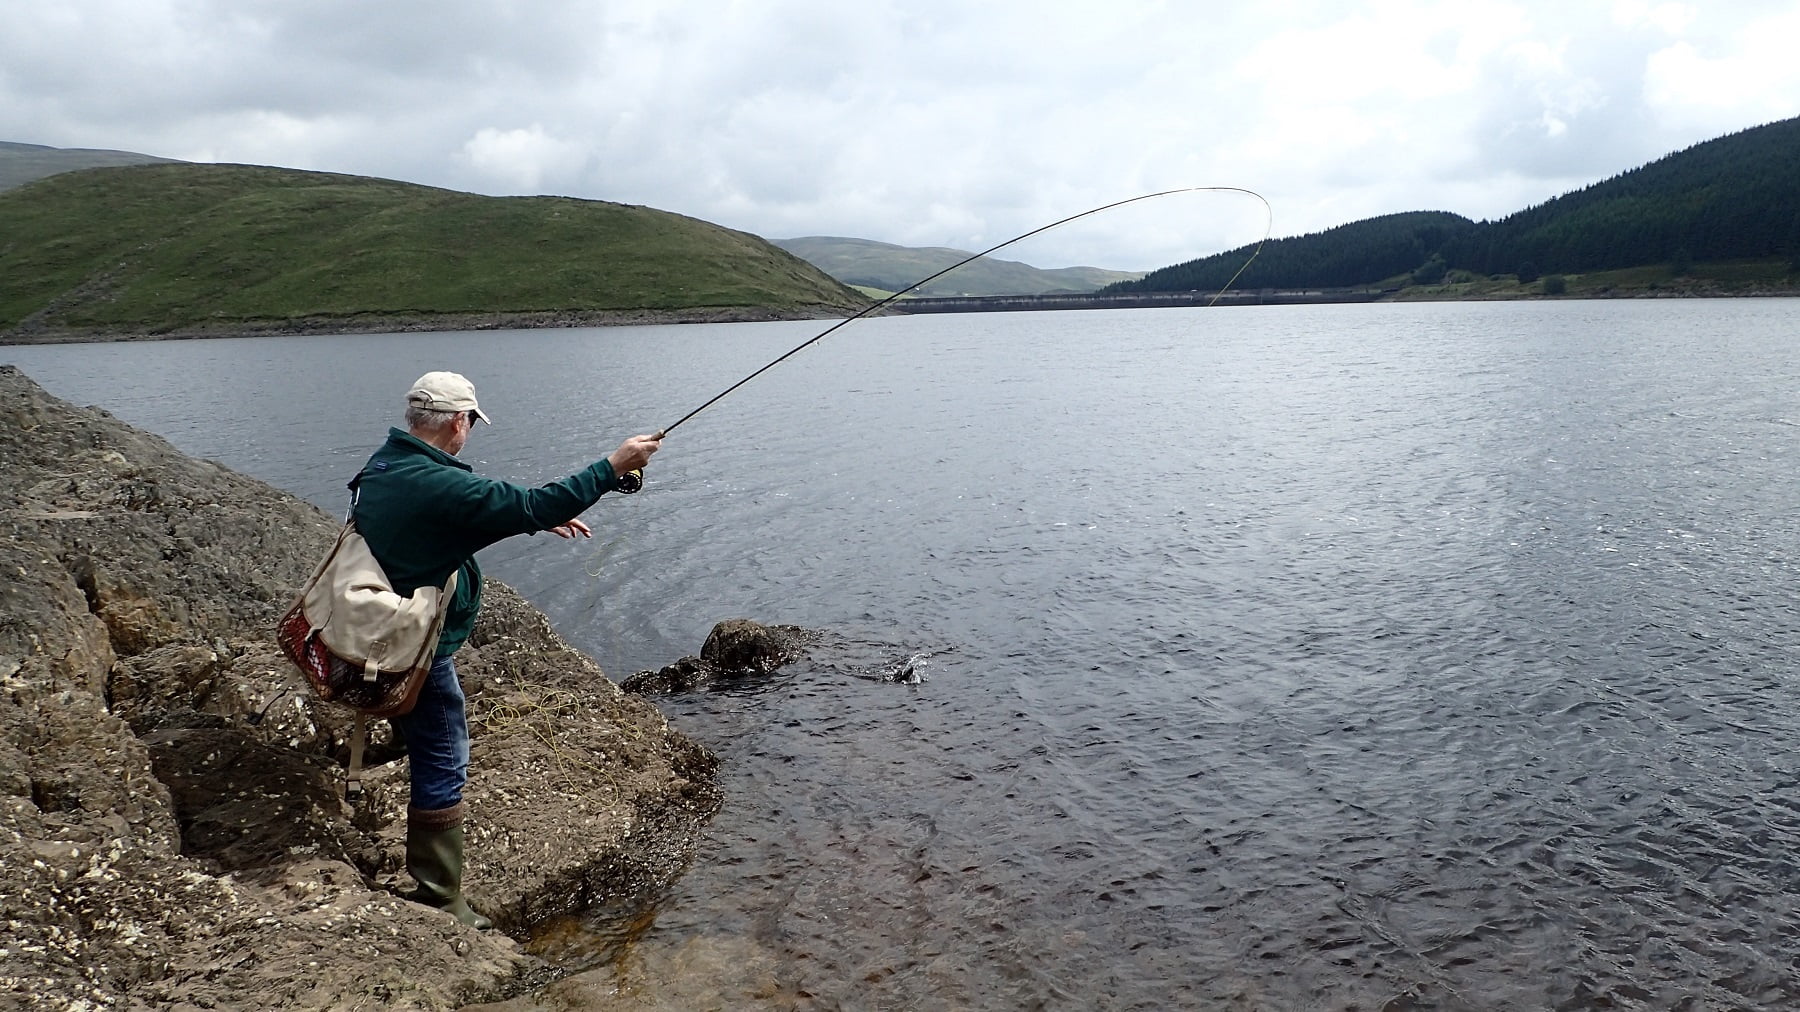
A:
892,269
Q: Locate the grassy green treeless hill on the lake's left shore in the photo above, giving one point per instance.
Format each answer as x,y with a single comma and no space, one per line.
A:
193,249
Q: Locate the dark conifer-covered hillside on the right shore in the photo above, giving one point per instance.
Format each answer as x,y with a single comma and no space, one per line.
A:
1732,203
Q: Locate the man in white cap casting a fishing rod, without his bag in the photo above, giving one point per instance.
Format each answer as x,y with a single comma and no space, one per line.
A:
426,516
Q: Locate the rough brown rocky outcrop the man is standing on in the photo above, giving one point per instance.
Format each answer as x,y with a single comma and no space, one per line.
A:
172,833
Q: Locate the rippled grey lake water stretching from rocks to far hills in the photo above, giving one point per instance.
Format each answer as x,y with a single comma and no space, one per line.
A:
1403,656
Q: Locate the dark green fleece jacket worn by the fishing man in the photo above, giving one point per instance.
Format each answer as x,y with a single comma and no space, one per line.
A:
426,516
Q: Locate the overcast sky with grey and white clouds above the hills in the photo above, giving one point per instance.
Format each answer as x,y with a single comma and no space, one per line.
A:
922,122
